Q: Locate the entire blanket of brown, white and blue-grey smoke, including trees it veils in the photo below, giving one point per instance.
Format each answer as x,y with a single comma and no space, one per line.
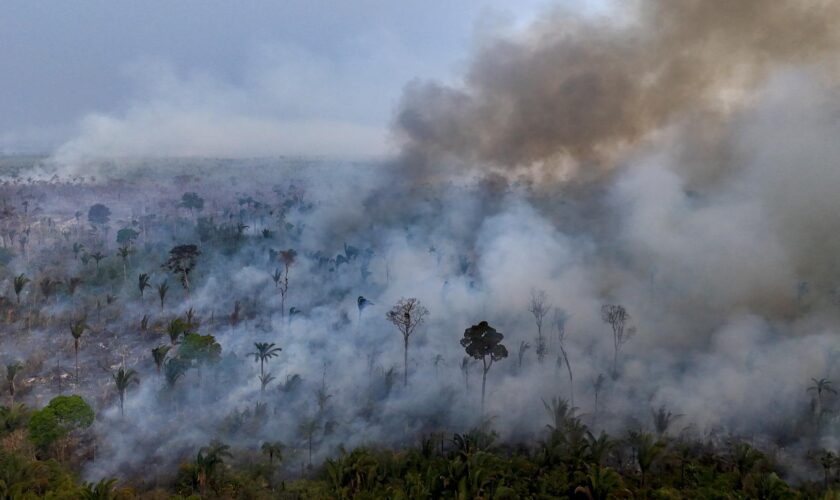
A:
642,201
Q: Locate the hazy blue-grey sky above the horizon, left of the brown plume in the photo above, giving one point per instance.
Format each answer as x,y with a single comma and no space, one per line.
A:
298,74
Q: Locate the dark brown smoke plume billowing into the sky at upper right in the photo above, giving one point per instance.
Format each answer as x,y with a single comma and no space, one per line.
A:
568,96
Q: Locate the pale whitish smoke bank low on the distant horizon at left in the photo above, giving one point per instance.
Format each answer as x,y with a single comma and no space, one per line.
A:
261,114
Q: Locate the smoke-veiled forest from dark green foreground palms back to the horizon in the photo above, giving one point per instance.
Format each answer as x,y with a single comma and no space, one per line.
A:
289,335
